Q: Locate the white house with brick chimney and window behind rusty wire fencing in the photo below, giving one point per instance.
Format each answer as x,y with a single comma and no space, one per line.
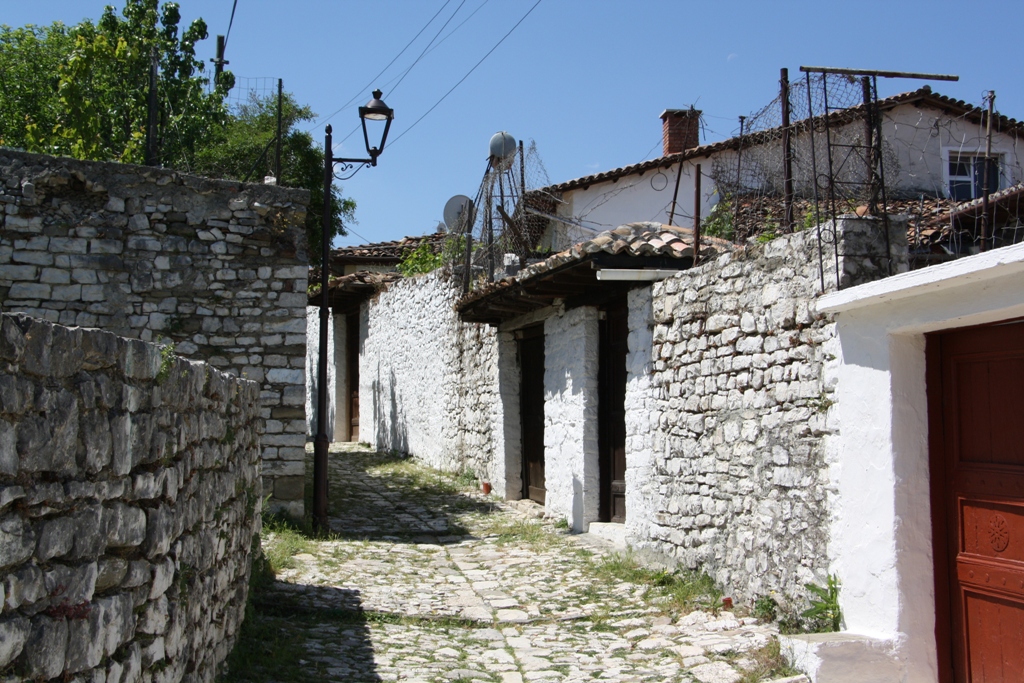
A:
935,153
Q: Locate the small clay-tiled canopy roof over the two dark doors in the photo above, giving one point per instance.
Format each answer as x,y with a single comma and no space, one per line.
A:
633,240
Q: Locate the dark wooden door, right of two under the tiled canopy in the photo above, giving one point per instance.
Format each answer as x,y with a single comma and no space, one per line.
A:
612,411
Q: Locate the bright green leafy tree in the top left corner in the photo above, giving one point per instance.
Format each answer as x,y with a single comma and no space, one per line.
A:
83,92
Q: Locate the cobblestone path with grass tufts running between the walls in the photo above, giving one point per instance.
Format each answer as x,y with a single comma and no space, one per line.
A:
425,579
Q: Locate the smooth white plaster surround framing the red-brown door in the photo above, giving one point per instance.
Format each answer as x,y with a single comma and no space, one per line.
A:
882,531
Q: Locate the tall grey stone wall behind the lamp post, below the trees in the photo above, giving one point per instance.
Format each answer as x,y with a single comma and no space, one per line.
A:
218,268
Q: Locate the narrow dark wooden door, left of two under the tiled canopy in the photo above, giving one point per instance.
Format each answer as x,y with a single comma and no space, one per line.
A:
532,412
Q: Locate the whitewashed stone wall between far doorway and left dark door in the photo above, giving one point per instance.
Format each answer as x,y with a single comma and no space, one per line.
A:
429,383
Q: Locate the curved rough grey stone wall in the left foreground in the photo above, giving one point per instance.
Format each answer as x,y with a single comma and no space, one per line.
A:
130,500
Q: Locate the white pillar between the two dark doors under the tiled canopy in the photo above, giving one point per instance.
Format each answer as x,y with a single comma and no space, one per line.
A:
571,366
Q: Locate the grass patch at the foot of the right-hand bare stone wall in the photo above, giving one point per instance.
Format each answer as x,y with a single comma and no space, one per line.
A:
676,591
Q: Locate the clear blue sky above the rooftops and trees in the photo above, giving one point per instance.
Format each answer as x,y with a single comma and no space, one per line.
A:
585,79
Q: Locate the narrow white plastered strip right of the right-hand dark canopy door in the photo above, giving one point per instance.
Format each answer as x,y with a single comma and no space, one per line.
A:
643,436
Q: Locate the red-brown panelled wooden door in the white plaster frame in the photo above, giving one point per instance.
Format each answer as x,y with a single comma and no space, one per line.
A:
976,402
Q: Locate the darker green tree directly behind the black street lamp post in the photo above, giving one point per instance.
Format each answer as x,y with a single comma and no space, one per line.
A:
244,150
